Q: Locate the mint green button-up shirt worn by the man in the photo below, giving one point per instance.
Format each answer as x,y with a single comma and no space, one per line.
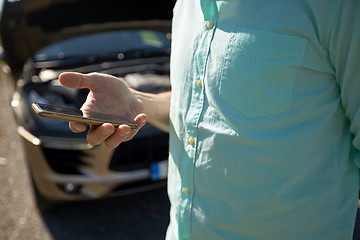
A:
265,119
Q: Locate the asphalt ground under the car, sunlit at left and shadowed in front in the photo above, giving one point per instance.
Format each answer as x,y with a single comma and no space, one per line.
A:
139,216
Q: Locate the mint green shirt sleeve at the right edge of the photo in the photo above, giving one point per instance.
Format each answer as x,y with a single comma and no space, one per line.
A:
344,50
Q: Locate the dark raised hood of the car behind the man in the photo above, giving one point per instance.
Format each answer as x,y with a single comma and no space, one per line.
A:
29,25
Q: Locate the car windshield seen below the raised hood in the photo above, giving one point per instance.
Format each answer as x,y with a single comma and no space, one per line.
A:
106,44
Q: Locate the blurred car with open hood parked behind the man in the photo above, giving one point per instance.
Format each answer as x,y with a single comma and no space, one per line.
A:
41,39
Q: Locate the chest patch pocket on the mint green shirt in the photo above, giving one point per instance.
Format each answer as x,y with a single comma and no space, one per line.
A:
259,71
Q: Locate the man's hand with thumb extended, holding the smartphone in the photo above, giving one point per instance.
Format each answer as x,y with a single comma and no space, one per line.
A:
110,95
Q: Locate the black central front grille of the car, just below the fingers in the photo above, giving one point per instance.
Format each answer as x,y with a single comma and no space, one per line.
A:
139,153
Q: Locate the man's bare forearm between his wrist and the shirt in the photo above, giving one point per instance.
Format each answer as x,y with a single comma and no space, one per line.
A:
156,107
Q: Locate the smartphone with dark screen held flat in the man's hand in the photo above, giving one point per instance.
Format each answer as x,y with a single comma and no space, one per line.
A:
76,115
